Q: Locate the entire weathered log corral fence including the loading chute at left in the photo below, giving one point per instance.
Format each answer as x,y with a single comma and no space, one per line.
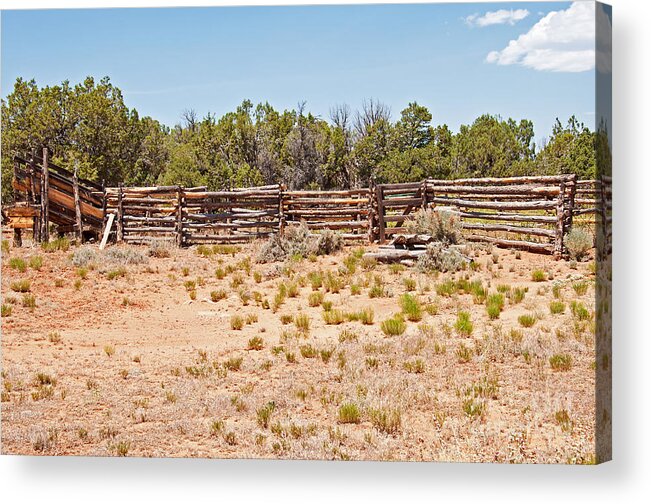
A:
530,213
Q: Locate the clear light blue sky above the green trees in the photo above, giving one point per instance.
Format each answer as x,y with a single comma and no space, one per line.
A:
453,58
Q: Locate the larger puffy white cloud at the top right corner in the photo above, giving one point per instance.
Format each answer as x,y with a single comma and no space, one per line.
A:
562,41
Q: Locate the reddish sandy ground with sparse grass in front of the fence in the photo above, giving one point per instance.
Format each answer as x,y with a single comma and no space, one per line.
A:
139,369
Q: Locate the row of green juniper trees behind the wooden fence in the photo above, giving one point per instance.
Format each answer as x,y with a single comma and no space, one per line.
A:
89,126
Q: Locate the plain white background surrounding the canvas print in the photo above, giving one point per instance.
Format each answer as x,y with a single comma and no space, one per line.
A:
625,479
